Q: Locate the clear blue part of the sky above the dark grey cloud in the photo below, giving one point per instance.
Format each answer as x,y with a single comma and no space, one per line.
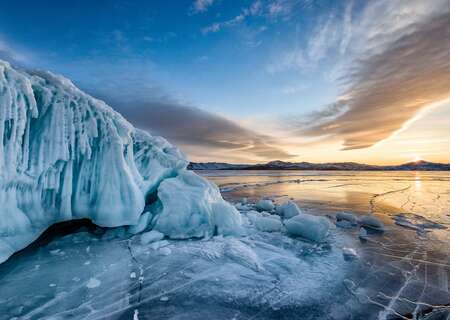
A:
165,45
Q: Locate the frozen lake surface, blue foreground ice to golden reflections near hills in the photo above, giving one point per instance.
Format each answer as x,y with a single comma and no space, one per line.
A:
84,272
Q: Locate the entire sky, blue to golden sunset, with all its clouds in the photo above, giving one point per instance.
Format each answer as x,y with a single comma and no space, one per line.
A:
256,80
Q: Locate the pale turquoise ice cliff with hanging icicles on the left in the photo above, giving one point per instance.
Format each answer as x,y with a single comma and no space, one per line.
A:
65,155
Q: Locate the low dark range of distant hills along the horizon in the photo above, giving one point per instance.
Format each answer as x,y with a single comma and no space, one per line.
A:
342,166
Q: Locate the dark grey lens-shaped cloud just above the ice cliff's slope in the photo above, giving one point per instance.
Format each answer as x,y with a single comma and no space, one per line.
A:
200,131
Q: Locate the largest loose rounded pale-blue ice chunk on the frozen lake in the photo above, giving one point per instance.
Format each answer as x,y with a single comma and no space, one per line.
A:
308,226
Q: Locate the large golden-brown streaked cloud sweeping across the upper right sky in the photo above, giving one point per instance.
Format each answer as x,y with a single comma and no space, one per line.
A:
397,78
